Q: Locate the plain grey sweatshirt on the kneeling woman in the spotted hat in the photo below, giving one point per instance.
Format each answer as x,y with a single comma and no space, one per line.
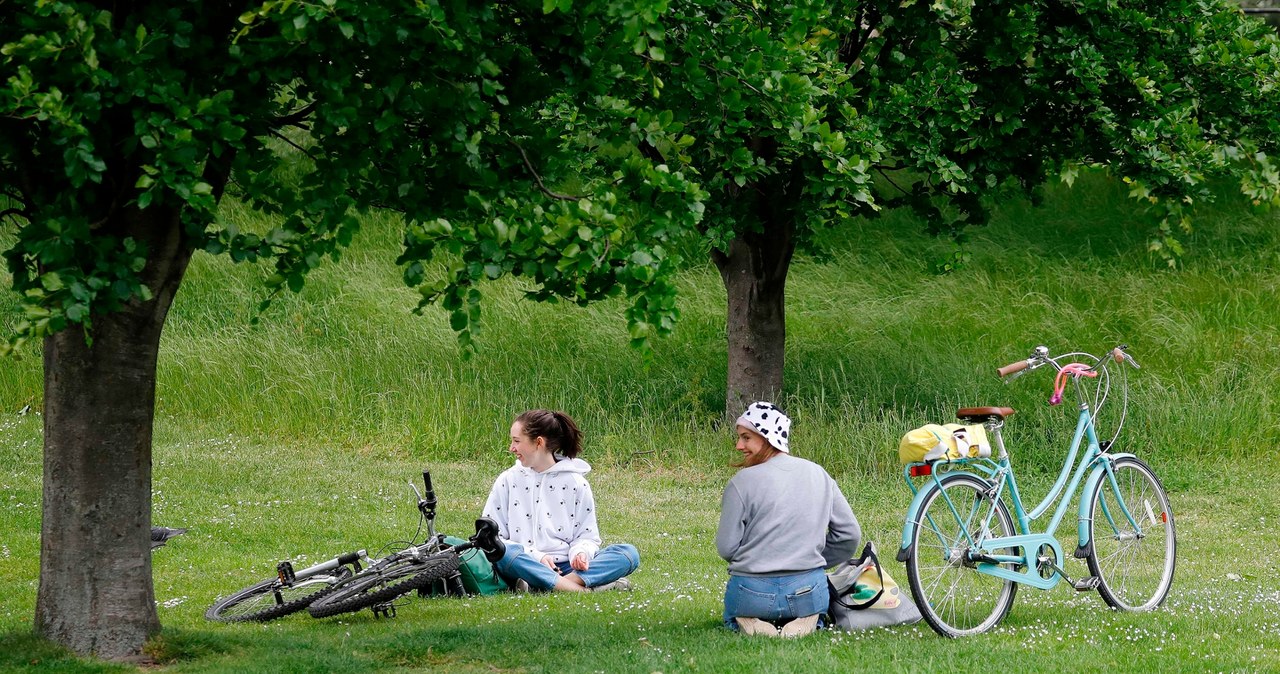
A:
785,516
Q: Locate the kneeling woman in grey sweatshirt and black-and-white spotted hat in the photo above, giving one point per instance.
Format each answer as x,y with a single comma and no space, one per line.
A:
783,522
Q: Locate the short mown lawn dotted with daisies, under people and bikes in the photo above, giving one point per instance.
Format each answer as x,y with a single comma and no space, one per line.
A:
305,505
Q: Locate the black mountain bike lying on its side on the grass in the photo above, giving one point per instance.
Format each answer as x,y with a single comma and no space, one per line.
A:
342,585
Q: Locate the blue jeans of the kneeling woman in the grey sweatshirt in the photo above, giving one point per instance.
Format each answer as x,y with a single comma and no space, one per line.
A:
776,598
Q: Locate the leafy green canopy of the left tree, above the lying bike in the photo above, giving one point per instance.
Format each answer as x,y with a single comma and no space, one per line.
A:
459,117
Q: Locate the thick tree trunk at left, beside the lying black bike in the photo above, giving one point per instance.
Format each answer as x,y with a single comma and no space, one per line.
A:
95,593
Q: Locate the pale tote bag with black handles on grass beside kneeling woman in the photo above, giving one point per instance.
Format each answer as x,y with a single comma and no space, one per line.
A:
865,597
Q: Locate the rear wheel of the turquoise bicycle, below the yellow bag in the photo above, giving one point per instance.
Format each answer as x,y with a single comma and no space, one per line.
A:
954,598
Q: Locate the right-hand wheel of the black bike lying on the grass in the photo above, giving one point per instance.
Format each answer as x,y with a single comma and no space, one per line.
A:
377,585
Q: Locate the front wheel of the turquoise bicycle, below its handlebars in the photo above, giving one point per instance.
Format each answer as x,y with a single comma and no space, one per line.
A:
1132,538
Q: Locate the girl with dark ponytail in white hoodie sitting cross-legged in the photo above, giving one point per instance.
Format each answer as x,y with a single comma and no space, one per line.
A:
546,512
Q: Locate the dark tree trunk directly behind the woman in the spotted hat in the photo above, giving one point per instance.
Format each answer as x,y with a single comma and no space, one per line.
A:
755,272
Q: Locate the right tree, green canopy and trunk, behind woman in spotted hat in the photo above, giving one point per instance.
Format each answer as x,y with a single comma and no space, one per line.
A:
808,113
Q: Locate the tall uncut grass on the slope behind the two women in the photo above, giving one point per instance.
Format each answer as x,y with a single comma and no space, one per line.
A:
877,345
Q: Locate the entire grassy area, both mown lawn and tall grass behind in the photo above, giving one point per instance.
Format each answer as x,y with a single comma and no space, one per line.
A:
295,438
